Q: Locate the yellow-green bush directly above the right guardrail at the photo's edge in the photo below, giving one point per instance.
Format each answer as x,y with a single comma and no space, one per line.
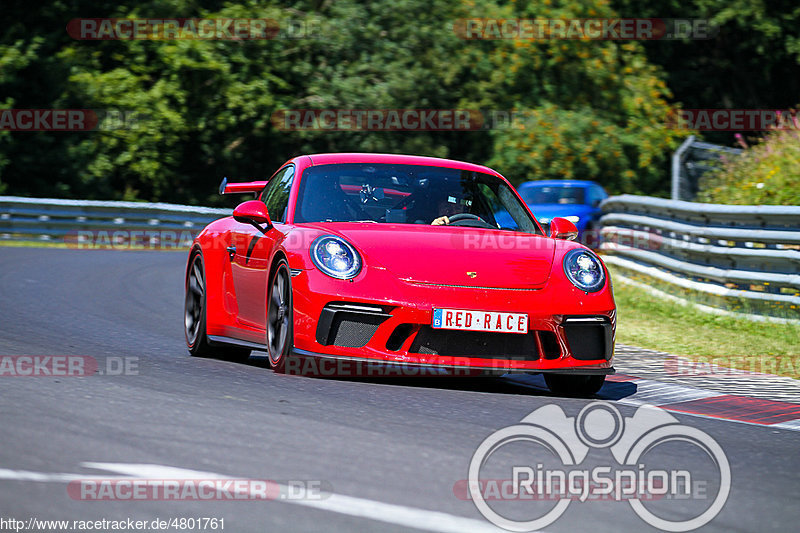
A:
767,173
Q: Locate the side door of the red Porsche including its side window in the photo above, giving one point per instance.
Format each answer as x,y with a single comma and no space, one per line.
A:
252,249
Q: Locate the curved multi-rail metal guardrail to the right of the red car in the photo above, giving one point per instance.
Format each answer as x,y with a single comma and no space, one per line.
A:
738,258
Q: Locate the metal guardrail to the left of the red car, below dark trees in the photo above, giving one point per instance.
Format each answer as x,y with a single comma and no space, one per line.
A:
89,222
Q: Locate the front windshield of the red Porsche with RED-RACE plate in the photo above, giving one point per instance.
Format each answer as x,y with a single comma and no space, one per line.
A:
408,194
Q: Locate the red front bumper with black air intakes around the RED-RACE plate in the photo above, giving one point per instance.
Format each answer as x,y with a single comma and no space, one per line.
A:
569,331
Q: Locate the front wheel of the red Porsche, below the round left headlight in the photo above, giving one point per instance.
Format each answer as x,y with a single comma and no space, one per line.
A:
279,317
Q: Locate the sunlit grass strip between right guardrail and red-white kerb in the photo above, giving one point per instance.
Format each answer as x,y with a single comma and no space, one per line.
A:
648,321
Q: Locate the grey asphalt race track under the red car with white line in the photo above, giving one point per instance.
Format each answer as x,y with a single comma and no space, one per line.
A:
388,453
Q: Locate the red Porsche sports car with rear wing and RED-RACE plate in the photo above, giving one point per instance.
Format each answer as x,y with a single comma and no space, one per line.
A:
424,264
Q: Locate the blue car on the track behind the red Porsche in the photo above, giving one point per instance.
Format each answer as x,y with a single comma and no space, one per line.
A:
576,200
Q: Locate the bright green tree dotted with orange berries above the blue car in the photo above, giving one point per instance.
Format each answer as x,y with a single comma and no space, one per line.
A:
596,109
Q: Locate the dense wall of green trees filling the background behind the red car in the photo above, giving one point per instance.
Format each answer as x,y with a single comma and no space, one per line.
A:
592,110
